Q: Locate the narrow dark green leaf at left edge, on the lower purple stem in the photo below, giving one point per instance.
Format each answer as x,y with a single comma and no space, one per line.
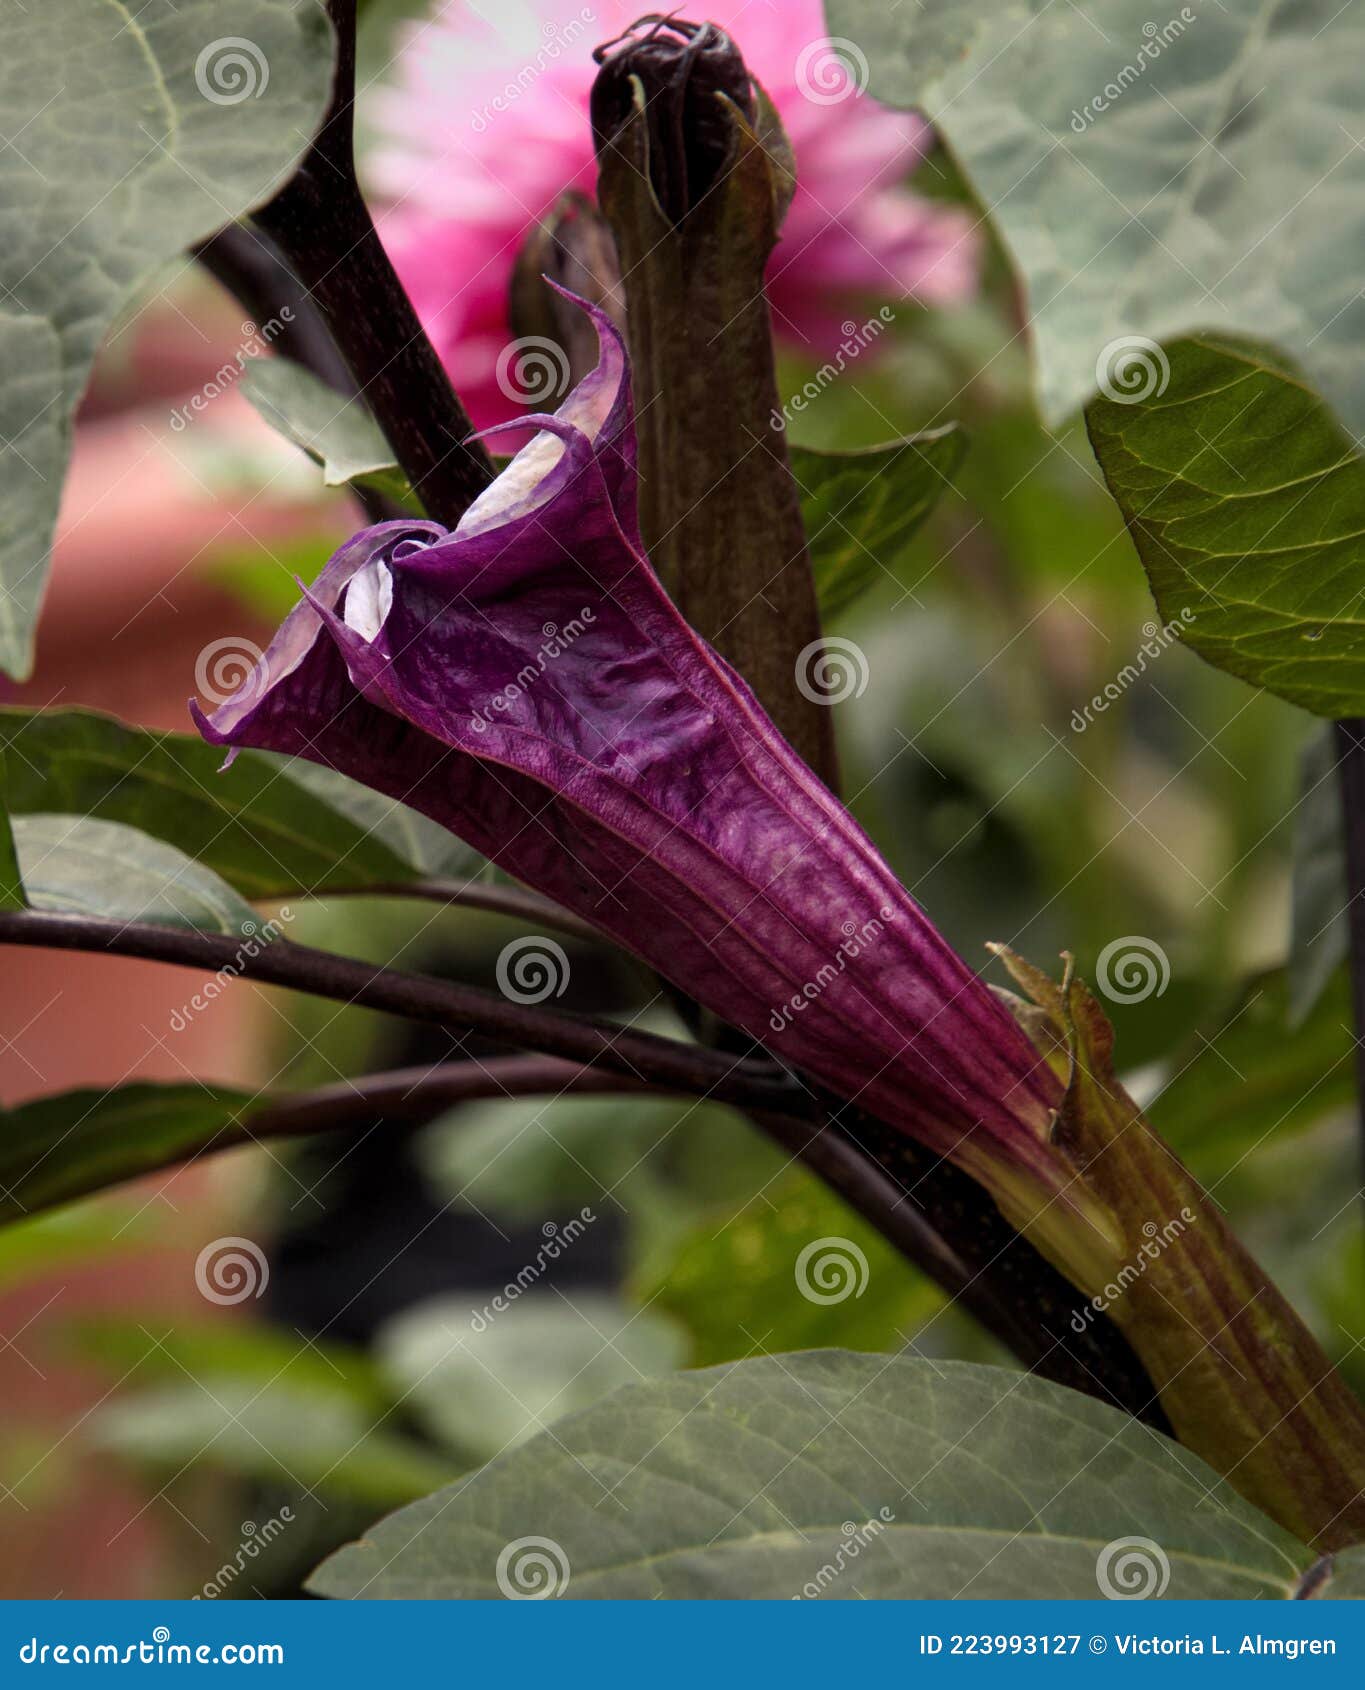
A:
73,1143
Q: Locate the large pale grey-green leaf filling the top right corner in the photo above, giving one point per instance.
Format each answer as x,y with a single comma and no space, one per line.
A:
1151,180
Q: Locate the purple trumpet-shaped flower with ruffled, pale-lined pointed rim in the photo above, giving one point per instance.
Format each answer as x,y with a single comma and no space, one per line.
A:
526,682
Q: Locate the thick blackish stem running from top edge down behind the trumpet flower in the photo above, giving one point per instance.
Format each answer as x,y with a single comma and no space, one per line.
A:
322,226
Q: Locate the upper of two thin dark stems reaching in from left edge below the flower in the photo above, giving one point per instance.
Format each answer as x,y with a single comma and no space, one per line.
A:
641,1057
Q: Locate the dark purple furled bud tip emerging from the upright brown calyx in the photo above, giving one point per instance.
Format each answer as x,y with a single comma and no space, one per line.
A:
675,70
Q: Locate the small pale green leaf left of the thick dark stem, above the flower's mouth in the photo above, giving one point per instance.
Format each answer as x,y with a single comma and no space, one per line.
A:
334,430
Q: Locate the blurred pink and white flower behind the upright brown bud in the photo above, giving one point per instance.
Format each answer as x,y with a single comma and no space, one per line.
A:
487,124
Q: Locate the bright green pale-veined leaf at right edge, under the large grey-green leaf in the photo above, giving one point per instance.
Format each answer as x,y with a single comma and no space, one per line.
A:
1248,508
